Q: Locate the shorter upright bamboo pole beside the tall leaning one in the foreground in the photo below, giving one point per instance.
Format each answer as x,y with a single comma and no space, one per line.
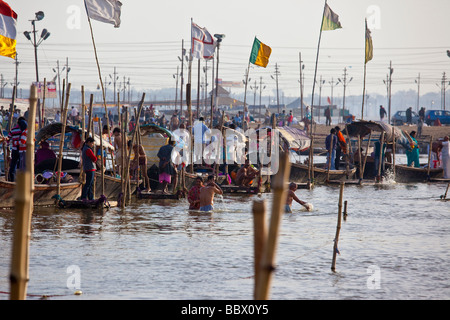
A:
260,236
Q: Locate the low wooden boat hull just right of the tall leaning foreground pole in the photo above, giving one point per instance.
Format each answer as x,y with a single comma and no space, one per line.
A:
300,174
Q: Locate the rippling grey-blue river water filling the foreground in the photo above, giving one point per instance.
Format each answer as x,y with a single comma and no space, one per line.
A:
393,245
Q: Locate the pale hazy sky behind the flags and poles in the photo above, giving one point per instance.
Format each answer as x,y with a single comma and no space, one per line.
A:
413,34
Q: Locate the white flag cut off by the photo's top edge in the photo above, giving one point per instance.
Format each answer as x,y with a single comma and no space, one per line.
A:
107,11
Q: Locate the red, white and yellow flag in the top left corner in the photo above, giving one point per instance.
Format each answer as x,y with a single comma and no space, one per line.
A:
8,20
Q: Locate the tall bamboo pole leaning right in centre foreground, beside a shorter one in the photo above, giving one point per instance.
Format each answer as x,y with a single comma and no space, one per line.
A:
279,200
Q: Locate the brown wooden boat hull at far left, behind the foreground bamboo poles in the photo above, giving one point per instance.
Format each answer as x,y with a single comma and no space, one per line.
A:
44,194
